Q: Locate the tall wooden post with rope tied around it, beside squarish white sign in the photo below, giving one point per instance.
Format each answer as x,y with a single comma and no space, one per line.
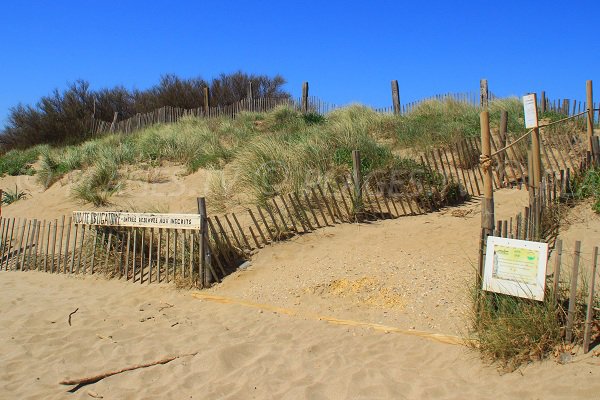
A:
487,204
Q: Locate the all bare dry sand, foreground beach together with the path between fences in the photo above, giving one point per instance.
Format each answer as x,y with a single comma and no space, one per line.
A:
408,273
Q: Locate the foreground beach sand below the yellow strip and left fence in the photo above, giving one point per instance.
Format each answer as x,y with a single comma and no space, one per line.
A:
242,352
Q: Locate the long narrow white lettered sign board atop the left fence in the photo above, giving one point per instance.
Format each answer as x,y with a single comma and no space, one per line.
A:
138,220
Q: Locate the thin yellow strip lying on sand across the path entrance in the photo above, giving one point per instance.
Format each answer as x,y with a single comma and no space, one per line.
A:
437,337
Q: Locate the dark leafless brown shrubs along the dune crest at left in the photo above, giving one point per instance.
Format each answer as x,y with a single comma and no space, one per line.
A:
64,117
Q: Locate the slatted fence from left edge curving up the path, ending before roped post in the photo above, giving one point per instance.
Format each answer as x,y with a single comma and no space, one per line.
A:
148,255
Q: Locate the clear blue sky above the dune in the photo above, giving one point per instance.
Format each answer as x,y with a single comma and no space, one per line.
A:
348,51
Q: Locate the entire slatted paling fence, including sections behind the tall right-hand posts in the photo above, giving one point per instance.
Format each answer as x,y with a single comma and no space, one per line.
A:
444,176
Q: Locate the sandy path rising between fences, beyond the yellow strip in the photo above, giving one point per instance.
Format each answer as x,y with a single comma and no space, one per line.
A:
411,272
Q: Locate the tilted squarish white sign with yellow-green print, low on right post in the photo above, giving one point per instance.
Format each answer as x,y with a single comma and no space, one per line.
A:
515,267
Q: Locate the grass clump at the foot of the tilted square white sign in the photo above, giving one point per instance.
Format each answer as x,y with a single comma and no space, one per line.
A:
512,331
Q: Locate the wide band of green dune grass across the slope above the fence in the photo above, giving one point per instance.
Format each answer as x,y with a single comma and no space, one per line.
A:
268,153
